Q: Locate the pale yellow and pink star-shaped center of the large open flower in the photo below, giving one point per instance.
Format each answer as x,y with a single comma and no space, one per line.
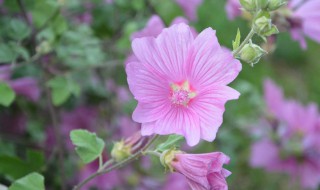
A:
181,94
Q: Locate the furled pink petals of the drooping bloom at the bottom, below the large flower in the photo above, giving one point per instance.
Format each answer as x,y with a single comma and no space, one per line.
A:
203,171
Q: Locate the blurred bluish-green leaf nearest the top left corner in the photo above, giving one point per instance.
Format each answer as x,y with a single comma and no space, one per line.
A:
18,30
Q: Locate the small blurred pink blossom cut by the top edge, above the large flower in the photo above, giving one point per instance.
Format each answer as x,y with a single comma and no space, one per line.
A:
190,8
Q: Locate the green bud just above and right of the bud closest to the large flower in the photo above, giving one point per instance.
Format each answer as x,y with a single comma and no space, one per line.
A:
263,26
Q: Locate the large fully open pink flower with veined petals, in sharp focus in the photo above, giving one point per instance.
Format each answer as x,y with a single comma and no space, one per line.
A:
180,83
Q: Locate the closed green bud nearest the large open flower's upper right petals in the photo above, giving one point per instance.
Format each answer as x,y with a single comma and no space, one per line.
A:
251,53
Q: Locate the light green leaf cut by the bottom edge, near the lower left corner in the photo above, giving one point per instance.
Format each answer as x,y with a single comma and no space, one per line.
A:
33,181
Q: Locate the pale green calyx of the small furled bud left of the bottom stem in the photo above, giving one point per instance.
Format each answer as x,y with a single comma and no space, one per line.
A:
120,151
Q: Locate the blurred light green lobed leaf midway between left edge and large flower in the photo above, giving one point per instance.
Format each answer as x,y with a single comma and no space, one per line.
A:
62,88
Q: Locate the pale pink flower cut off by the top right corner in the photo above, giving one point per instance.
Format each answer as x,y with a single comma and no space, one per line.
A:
305,21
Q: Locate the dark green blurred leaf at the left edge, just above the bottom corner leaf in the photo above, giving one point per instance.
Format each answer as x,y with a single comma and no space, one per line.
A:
14,167
